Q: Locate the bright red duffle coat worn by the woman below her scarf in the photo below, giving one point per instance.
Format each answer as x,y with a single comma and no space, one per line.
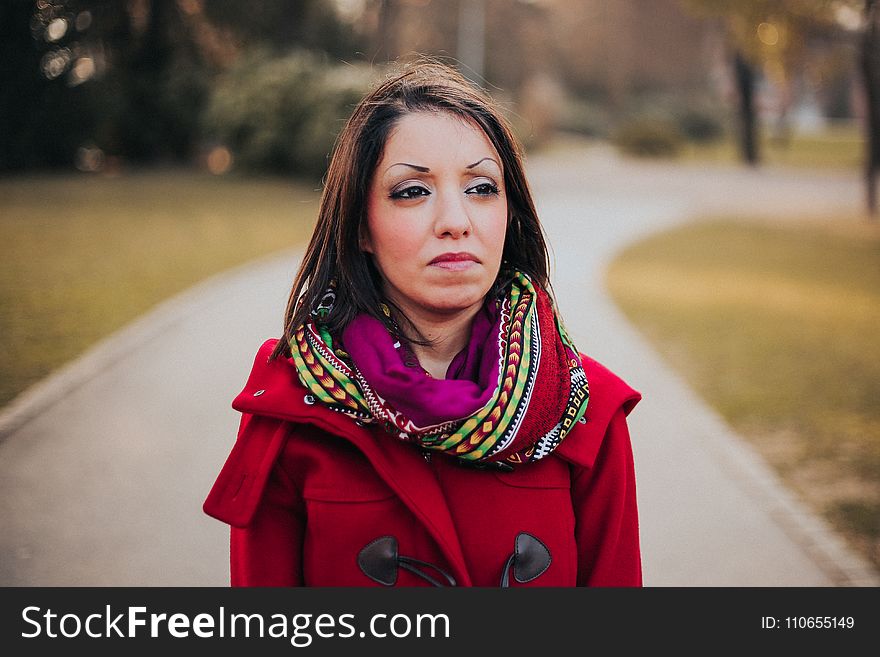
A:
305,489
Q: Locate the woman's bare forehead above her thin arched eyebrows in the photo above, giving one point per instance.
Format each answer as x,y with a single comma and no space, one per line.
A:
436,136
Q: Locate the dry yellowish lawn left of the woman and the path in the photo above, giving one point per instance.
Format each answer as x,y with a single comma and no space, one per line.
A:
84,255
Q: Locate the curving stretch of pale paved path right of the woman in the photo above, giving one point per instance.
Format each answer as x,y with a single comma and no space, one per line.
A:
712,512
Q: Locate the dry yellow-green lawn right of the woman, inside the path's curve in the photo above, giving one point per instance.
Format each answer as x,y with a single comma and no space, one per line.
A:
777,325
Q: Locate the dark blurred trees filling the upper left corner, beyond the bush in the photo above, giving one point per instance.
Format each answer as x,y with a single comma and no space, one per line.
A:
132,78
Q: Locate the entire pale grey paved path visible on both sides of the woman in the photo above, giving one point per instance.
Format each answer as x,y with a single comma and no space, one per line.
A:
104,467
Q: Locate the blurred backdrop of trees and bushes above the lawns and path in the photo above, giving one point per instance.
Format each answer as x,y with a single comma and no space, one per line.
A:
226,86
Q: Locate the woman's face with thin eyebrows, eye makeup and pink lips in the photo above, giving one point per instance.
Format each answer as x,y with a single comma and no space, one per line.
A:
436,215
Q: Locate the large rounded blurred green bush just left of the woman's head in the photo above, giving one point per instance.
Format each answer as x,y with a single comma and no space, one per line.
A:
282,114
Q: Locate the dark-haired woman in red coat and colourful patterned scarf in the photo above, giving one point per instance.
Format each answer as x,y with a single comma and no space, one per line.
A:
425,419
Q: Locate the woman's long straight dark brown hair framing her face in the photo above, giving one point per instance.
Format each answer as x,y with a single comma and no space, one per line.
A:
334,253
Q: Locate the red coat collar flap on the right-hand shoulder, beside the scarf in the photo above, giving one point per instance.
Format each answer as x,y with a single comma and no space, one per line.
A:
609,394
